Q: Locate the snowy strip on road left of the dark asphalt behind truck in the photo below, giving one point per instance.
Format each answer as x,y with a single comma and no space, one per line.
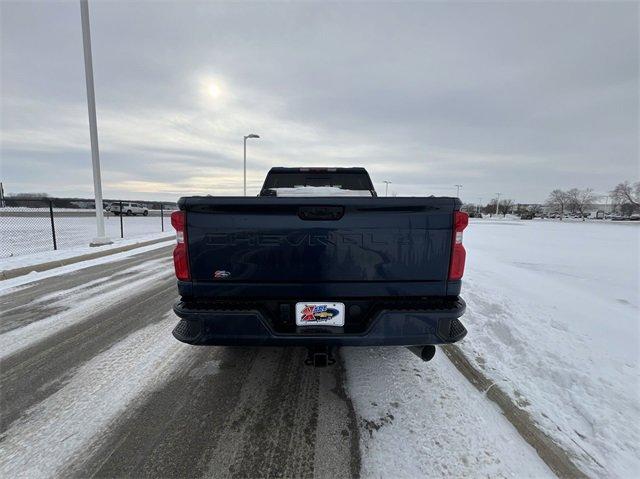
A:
65,424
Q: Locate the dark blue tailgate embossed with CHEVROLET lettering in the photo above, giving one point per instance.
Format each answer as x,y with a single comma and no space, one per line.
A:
315,240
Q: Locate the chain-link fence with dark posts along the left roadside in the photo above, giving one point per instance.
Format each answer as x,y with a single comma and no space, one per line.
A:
38,225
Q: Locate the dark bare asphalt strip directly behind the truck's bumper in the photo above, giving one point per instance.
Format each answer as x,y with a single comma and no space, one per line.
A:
236,412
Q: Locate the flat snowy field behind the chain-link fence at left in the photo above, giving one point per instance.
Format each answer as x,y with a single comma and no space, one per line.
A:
28,235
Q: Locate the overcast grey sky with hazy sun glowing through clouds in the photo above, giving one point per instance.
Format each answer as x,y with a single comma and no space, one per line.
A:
511,98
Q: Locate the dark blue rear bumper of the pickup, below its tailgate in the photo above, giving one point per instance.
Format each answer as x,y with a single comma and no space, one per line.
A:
250,327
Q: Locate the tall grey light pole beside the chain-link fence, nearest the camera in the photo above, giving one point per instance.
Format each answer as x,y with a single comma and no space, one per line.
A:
101,238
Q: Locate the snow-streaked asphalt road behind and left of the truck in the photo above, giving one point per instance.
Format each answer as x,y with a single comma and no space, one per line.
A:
220,411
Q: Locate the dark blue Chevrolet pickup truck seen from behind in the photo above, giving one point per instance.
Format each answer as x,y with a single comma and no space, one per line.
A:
319,260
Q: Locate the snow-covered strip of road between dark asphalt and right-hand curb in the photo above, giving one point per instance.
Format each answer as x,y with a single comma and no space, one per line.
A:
425,420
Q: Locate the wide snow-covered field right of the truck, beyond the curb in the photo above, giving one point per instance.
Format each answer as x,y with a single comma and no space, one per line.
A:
553,317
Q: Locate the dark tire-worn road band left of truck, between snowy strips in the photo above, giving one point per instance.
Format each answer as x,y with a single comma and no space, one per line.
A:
41,366
